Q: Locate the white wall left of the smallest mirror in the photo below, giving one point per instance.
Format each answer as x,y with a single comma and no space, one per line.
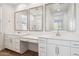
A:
8,19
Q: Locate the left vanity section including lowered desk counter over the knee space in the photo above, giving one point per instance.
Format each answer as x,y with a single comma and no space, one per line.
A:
18,43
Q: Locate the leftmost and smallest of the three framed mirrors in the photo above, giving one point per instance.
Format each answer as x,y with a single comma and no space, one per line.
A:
20,21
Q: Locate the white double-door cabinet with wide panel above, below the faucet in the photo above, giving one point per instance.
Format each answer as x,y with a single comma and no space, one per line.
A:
58,48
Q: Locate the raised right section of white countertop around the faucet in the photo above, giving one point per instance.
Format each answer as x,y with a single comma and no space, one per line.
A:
64,36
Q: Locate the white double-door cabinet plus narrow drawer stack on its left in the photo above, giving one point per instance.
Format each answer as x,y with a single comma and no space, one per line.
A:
54,47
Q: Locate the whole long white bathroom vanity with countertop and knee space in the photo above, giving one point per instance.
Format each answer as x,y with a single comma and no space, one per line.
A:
48,45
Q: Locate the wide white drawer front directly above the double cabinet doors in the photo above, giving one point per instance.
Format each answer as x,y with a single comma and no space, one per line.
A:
58,42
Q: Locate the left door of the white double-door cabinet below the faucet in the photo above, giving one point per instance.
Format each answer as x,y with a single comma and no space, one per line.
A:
51,50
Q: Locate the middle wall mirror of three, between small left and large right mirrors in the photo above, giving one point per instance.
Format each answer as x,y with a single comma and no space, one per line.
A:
36,15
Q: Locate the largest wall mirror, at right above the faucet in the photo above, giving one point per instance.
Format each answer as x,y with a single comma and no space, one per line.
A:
60,16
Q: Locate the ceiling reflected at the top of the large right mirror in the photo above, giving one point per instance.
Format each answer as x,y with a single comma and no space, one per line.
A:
58,7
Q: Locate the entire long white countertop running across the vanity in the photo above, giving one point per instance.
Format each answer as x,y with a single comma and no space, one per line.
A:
63,35
